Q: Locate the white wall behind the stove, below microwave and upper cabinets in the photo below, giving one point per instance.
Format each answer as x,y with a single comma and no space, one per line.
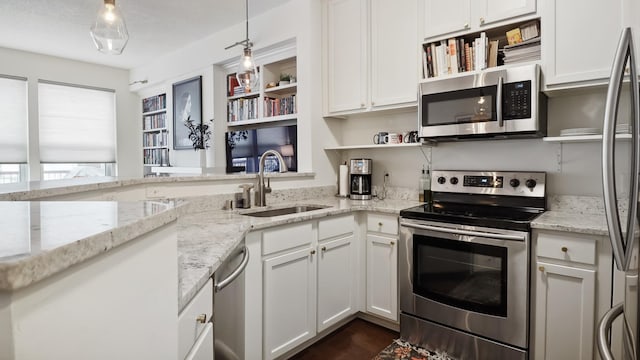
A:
572,169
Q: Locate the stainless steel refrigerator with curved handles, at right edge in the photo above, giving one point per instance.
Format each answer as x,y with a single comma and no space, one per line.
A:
620,166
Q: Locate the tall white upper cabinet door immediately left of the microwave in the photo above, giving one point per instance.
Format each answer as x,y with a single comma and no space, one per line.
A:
394,52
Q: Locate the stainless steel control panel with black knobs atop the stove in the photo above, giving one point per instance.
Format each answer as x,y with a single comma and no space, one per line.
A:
489,182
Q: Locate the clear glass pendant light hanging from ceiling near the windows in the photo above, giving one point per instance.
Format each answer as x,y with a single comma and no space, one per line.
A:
109,32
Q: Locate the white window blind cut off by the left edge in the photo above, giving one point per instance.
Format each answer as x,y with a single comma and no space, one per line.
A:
13,120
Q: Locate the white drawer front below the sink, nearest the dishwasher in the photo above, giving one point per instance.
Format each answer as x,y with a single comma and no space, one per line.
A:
286,237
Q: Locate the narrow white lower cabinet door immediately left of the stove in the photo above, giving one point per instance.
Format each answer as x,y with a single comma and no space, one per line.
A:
382,276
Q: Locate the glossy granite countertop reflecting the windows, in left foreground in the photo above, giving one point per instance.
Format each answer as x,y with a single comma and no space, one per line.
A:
42,238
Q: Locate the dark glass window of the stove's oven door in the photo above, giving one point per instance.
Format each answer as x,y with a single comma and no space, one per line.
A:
465,275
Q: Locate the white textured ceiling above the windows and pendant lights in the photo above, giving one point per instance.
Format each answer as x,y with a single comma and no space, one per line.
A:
156,27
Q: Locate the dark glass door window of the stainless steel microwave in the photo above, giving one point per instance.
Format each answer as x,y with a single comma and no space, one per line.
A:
460,106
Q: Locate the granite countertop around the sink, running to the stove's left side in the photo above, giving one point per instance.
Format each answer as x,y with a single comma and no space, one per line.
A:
206,238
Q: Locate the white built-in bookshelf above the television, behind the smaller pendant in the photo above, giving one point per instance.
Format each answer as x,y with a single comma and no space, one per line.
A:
274,100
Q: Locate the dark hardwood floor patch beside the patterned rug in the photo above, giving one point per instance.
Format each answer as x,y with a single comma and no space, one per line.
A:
357,340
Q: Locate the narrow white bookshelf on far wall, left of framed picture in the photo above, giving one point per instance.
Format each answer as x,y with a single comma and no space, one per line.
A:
155,133
